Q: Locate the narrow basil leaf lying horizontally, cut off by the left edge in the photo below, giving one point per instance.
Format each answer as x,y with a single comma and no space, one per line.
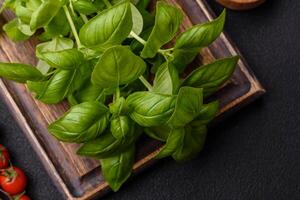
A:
20,72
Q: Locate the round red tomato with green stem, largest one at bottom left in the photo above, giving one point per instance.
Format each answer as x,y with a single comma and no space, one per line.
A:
13,180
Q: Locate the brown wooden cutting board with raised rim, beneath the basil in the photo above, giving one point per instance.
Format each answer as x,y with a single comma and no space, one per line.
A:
80,178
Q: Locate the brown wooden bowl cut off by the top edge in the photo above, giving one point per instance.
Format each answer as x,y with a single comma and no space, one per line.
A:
241,4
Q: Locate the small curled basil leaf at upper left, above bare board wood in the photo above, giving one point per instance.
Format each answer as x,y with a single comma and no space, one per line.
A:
16,31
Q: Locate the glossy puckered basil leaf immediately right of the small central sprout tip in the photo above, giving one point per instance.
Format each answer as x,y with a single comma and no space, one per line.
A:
150,109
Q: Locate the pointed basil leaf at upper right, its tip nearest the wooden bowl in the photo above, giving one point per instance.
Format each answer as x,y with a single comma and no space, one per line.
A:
201,35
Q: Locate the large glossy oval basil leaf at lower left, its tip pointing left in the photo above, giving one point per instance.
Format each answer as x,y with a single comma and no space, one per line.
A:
81,123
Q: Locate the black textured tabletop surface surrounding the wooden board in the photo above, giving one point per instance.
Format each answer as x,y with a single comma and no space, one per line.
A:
254,154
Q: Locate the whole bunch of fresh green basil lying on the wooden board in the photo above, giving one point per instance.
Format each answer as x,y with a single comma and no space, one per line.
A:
101,56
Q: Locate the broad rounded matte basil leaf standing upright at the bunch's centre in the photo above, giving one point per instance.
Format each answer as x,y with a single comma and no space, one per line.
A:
117,66
